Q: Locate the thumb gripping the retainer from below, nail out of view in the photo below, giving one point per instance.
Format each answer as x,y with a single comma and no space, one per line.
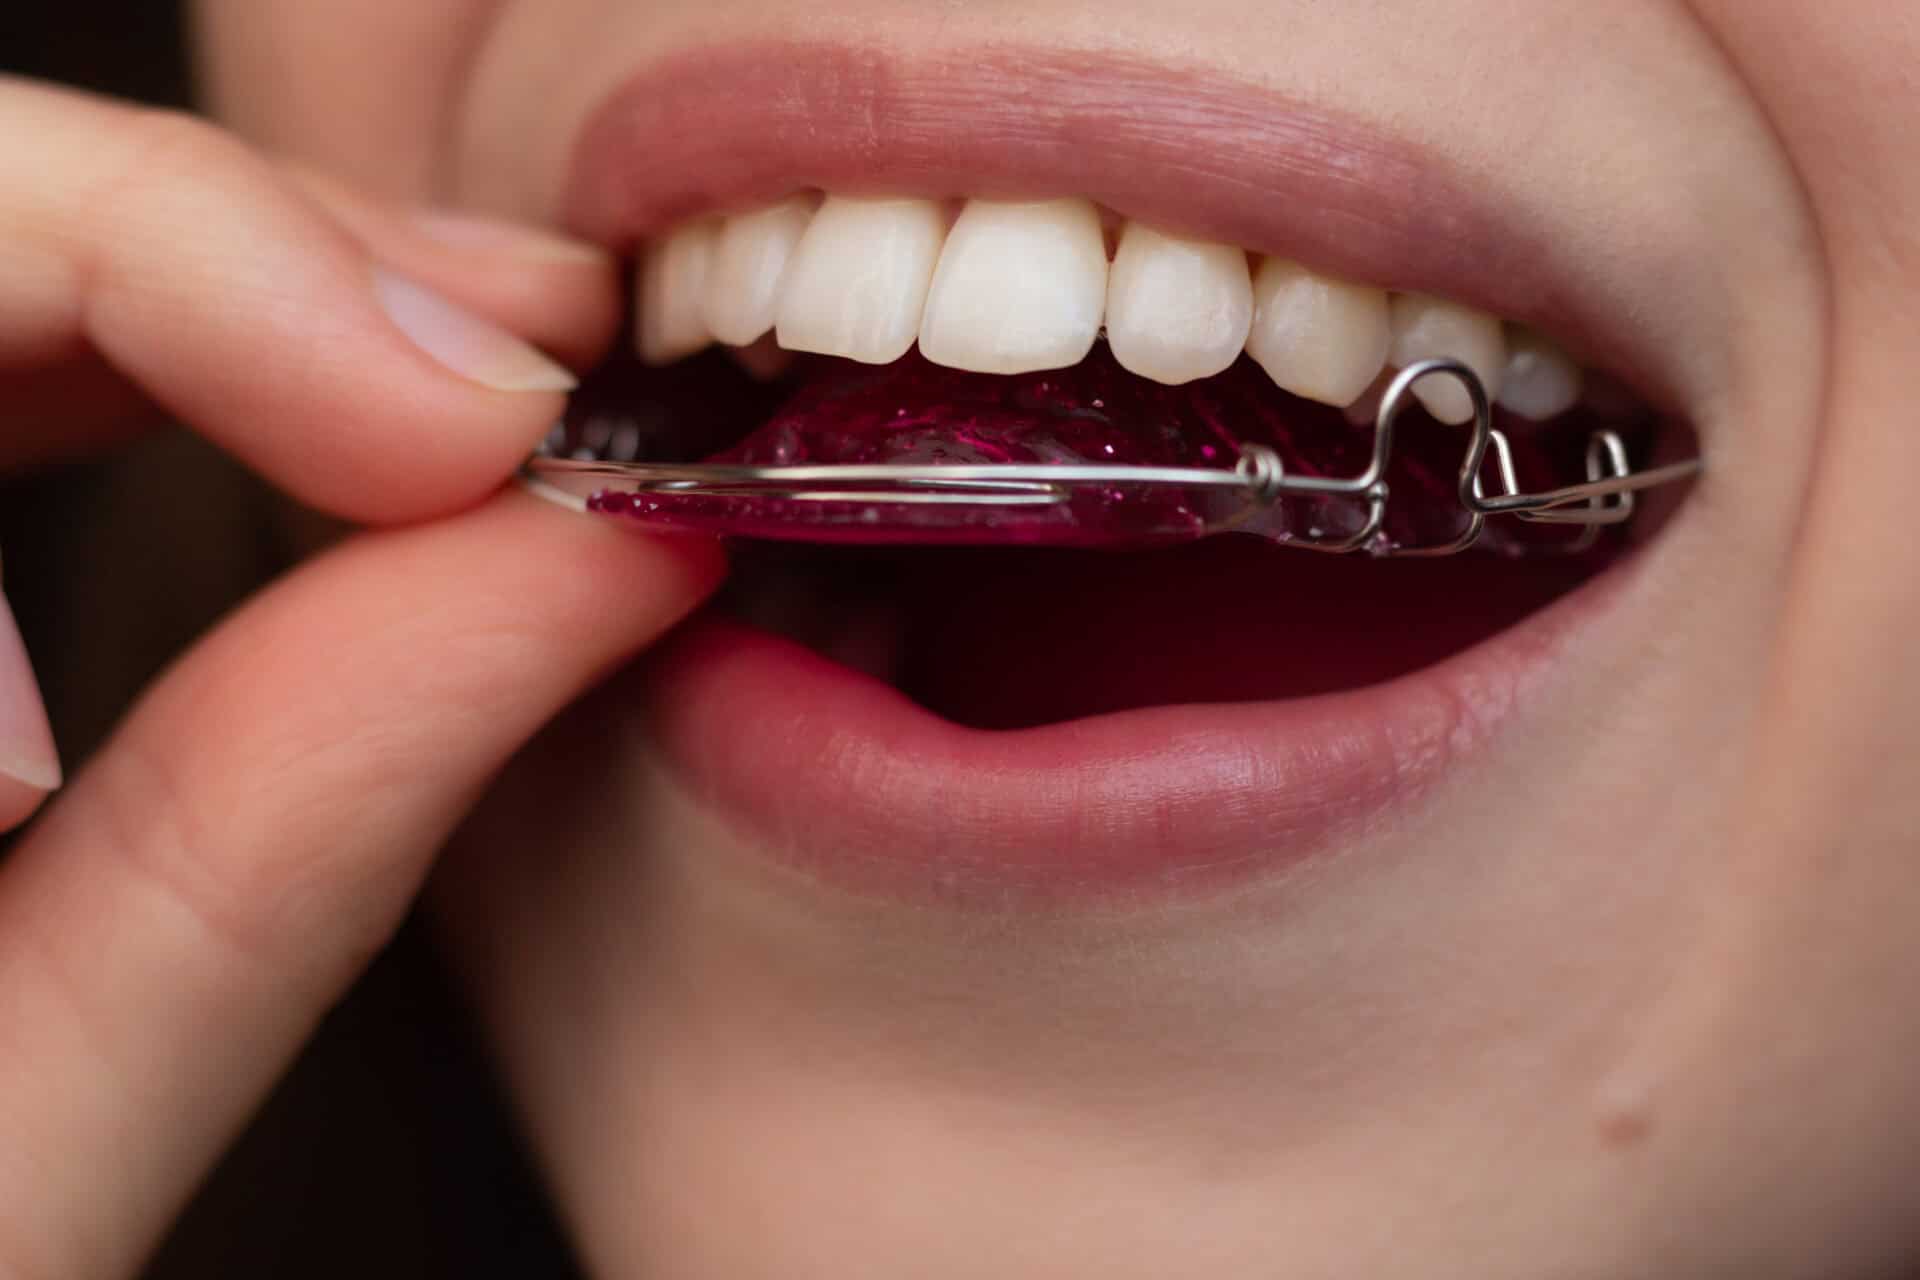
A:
212,882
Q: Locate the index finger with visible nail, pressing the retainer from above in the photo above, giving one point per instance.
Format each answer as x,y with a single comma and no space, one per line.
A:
199,273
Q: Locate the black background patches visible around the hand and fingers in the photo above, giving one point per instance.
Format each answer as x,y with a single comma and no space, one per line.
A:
385,1152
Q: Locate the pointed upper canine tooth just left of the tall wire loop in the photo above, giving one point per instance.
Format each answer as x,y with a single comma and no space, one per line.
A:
1316,337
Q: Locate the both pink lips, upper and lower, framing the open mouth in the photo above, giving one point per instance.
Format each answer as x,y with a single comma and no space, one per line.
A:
853,780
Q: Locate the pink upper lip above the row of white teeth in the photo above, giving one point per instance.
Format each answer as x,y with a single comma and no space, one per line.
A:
1163,143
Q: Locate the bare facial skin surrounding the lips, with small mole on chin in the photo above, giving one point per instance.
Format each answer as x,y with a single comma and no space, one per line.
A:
1637,993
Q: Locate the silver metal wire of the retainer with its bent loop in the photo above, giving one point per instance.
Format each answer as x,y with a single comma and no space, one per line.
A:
1602,500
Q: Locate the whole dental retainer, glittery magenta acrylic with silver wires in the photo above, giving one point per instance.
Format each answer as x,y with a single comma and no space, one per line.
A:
1034,462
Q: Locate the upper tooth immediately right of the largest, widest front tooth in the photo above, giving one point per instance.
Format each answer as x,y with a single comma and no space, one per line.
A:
1176,310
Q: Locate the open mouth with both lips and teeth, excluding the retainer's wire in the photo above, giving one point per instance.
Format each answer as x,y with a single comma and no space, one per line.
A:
1101,701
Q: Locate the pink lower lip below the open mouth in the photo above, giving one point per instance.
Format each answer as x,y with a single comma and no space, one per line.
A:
852,782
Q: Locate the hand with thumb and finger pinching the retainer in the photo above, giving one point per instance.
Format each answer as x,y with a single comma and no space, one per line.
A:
224,868
